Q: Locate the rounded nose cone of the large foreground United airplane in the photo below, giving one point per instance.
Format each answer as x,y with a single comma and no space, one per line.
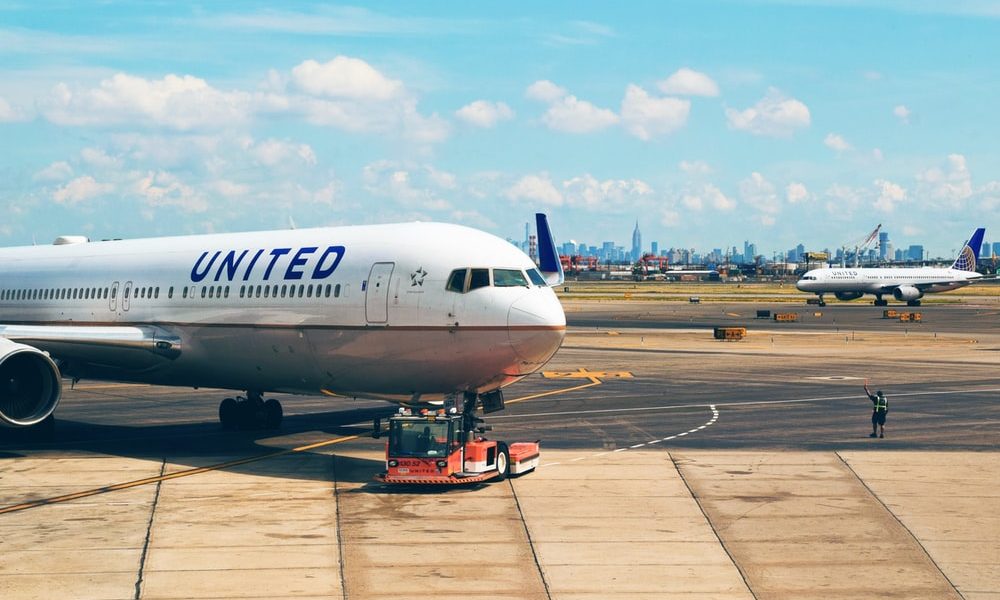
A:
536,325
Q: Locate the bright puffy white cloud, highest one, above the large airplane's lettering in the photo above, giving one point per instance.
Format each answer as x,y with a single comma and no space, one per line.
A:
345,77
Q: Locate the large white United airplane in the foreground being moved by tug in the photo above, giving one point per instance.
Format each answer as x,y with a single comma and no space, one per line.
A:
414,312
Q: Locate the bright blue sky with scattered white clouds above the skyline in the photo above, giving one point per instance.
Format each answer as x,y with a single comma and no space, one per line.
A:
710,122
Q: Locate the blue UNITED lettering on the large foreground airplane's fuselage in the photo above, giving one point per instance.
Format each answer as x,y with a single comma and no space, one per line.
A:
281,263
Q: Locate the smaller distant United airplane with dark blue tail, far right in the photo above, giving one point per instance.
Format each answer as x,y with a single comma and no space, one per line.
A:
909,284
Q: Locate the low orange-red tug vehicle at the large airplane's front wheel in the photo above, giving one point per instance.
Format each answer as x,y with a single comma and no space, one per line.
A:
433,448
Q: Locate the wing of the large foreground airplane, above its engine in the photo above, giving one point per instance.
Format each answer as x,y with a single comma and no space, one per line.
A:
135,346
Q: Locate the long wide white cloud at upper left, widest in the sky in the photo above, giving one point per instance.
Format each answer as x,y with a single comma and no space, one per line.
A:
177,102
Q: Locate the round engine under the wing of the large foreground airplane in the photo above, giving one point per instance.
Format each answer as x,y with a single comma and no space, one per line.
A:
30,385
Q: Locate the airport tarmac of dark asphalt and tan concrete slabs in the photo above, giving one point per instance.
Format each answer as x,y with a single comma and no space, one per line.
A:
673,465
